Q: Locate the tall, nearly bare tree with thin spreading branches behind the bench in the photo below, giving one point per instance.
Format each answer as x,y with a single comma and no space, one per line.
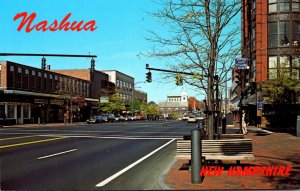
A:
202,37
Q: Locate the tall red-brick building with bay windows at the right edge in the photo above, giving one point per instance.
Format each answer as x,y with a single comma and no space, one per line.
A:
270,37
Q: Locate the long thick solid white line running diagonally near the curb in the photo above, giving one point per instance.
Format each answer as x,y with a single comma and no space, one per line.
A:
106,181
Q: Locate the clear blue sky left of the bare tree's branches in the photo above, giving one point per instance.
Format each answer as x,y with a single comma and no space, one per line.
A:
122,26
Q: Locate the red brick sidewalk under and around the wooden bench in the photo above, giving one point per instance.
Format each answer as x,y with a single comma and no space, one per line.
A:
269,148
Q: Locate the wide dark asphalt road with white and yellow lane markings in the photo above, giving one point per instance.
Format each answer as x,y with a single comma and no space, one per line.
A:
130,155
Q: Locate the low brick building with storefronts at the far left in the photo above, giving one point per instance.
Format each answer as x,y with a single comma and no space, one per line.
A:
29,95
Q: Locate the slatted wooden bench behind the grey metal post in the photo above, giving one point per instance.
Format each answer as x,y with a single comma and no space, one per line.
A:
226,149
